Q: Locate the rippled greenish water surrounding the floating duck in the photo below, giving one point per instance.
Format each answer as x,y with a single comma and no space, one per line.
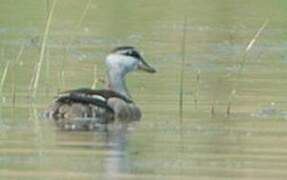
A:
250,143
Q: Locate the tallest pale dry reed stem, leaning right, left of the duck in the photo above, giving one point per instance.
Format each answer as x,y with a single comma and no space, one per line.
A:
43,48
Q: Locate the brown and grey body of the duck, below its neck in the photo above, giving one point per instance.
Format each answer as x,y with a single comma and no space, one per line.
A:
86,109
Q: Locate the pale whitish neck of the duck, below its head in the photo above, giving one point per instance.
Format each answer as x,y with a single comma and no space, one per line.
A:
117,83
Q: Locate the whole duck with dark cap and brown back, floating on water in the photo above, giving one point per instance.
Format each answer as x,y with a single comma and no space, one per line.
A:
89,109
